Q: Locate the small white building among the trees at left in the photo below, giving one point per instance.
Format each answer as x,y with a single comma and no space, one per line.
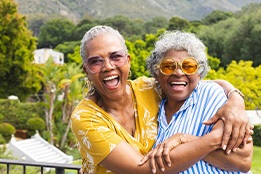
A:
42,55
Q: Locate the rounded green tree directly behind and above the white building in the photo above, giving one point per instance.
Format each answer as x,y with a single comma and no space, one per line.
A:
54,32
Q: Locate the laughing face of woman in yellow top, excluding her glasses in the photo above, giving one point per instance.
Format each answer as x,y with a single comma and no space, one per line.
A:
111,81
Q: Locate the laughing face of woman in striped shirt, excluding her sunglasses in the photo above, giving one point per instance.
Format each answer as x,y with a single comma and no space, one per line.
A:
177,86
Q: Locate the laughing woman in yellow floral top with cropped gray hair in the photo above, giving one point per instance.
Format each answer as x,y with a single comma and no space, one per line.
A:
116,124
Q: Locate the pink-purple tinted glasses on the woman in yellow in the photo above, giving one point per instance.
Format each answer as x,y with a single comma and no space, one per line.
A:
96,63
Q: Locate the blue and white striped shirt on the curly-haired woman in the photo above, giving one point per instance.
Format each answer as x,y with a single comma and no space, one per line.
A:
201,105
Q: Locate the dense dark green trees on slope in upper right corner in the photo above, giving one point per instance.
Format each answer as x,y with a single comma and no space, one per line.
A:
236,38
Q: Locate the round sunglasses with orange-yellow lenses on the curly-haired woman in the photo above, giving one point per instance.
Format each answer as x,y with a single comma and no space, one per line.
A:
188,66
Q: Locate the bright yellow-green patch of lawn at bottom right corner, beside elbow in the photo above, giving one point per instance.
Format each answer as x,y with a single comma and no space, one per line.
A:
256,162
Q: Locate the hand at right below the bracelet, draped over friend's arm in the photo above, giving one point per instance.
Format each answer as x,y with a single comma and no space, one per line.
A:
236,122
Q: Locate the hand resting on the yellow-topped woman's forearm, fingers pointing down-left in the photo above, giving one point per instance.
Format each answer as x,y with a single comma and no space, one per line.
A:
162,151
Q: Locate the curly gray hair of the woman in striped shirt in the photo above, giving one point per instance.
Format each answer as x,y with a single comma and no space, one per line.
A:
179,41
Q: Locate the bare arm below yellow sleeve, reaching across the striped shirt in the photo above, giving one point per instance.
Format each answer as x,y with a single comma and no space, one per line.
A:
182,156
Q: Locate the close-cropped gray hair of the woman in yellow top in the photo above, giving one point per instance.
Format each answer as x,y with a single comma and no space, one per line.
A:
97,31
